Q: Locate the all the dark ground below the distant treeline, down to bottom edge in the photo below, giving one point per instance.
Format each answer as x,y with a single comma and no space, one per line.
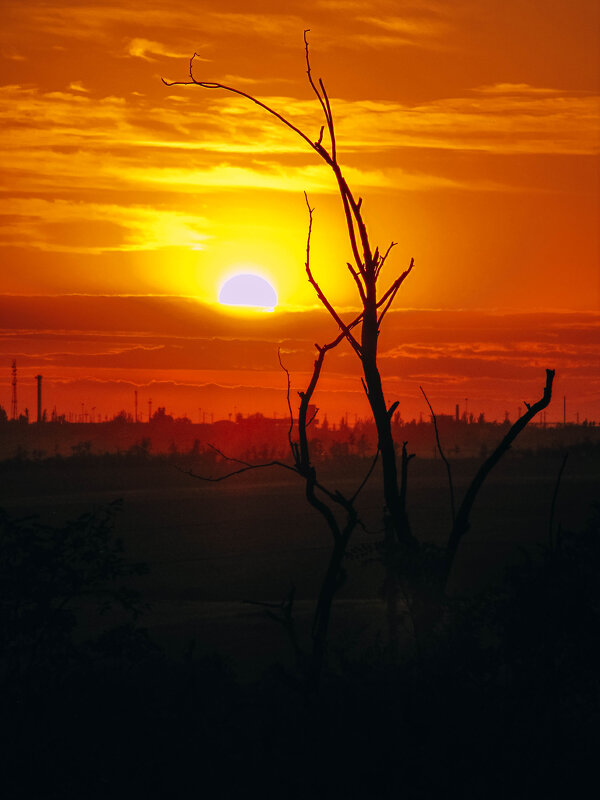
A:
205,702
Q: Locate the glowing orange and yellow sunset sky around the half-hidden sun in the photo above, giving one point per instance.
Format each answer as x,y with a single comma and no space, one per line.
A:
471,130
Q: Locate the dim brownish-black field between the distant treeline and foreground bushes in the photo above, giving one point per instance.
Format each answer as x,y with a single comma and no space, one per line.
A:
213,549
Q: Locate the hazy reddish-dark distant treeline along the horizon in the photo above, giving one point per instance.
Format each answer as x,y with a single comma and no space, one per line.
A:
258,438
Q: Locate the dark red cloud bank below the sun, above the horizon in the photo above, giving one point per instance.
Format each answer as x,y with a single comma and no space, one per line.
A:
497,360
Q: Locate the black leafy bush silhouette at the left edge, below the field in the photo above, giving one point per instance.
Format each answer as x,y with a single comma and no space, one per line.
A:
48,575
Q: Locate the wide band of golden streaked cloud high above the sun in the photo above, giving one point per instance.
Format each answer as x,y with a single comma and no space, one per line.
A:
50,140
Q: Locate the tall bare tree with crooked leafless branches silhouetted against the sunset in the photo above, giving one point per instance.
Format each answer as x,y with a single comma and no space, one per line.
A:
423,576
